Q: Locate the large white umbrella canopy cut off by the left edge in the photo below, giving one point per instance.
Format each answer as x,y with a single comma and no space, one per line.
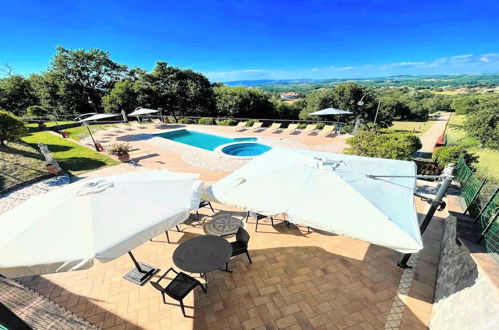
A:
100,218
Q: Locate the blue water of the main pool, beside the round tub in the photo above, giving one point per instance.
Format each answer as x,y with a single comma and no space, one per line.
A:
200,140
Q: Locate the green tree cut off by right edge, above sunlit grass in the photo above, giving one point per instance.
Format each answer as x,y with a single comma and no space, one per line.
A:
483,123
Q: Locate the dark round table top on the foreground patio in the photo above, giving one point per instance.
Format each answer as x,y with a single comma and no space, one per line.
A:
202,254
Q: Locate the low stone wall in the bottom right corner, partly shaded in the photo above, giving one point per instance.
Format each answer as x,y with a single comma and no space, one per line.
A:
465,295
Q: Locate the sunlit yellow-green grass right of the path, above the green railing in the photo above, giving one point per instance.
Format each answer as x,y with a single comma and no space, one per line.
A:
489,158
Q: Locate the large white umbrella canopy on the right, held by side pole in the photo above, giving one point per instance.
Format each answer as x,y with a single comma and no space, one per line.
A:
329,192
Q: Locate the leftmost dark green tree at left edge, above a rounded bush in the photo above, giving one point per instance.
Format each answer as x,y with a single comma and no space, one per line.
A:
16,94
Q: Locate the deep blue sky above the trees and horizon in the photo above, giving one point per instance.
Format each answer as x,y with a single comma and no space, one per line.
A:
261,39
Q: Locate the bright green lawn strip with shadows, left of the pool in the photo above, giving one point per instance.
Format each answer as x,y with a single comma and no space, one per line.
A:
70,155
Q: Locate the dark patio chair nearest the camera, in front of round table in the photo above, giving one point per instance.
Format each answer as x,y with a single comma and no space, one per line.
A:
178,288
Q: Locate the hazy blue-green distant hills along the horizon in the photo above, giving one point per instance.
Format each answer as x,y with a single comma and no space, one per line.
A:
303,85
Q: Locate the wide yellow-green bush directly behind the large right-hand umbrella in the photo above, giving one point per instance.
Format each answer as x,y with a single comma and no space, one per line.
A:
374,143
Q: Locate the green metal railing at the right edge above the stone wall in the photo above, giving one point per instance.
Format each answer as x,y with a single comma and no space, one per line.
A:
482,203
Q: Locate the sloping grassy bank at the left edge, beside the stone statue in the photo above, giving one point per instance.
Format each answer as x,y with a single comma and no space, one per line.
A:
20,163
